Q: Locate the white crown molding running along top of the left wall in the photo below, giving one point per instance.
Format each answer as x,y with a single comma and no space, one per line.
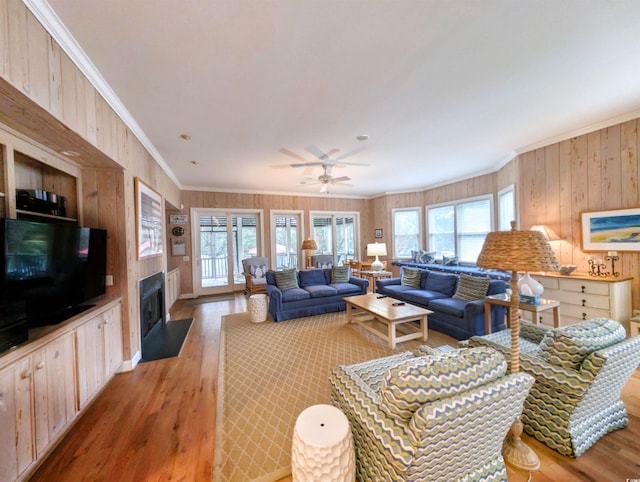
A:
59,32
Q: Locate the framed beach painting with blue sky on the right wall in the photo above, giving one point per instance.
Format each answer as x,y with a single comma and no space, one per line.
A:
617,230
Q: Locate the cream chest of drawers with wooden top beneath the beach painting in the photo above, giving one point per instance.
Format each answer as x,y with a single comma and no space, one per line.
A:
583,297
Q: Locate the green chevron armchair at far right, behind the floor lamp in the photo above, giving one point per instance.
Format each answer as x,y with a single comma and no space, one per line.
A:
579,372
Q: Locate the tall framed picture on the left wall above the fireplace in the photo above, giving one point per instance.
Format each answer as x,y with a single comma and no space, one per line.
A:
148,220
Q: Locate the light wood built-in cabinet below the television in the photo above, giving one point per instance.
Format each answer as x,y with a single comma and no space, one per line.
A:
47,382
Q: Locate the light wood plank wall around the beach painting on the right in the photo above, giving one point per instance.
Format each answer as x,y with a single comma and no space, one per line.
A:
592,172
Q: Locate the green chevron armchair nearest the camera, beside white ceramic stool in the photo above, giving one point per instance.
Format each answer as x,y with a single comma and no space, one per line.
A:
436,417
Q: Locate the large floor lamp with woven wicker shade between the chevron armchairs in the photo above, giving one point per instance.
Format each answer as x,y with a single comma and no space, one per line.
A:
517,251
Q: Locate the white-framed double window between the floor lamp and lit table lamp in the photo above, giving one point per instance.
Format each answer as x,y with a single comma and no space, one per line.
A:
336,234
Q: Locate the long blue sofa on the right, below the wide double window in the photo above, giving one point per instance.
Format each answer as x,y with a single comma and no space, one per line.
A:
451,316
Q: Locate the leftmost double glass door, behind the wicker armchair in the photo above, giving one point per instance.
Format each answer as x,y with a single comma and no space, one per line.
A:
221,241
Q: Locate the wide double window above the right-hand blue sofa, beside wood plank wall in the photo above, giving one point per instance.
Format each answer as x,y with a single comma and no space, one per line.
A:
459,229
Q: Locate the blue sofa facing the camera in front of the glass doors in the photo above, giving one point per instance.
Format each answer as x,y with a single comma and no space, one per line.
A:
315,294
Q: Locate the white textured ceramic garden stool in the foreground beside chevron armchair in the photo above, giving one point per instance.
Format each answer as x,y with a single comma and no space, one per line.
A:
322,449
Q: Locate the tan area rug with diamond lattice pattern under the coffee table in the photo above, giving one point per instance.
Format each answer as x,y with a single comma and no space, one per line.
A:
269,373
